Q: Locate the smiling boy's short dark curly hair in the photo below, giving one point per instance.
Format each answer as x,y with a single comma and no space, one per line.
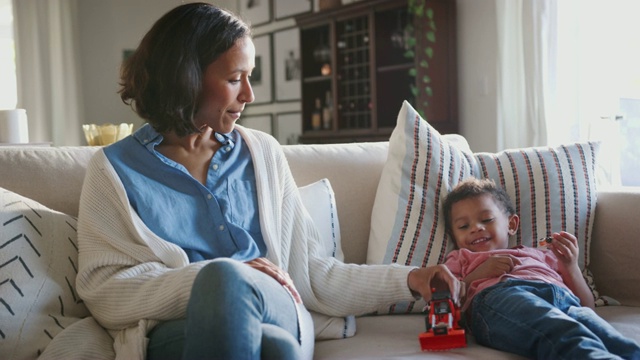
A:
471,188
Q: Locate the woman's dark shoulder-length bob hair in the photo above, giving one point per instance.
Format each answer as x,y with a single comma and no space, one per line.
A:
162,79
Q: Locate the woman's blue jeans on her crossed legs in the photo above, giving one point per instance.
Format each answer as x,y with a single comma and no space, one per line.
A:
235,312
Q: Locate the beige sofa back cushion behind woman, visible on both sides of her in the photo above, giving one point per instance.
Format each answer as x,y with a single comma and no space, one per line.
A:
53,176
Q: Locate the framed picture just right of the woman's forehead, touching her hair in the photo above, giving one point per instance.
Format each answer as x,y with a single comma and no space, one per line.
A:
261,79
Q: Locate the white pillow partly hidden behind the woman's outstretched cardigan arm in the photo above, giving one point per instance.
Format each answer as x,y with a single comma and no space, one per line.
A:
319,200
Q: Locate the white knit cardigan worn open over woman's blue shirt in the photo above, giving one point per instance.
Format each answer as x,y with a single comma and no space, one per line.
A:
130,279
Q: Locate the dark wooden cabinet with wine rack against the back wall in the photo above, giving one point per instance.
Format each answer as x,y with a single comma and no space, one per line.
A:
353,59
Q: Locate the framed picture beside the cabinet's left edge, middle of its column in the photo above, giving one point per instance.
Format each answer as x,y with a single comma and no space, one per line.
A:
288,69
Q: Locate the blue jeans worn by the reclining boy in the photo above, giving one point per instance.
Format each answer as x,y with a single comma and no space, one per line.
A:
544,321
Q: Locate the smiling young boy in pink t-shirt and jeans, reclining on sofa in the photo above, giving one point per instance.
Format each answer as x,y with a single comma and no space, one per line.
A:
528,301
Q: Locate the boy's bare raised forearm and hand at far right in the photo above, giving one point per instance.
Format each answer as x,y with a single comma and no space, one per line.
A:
565,247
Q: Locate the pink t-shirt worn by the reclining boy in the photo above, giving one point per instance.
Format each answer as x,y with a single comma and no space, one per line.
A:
537,264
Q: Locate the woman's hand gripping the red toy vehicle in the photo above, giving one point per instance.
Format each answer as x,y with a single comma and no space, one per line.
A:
422,280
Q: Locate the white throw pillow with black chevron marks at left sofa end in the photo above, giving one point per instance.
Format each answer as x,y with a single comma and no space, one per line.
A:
38,268
